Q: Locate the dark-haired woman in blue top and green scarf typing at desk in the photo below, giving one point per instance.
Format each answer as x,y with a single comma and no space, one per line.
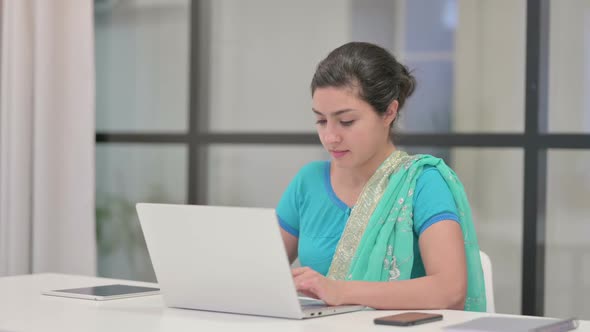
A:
374,225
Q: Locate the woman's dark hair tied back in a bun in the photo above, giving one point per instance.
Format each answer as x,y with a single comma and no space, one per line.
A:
377,76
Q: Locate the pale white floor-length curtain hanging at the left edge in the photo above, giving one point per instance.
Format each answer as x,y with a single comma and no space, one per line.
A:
47,221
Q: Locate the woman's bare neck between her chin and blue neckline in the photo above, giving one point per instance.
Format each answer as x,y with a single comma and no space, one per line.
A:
357,177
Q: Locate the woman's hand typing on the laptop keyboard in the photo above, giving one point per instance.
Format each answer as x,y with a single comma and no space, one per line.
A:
312,284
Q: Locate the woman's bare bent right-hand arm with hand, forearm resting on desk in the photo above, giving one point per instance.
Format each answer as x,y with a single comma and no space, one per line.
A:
443,287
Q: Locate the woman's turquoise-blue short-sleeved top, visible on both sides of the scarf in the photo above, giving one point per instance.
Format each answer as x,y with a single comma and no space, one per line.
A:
310,210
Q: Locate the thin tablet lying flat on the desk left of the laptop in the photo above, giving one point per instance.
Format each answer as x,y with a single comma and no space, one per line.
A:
106,292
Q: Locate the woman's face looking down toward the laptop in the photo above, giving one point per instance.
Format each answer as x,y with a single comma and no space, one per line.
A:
349,128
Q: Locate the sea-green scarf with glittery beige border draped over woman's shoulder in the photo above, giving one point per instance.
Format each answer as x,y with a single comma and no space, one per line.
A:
378,240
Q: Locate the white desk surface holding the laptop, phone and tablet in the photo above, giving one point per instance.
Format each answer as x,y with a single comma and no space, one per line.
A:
23,308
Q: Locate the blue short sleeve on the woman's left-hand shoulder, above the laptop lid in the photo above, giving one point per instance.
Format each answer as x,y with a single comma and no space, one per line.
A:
288,207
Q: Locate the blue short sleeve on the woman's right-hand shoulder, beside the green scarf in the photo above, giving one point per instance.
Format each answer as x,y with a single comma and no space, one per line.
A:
433,201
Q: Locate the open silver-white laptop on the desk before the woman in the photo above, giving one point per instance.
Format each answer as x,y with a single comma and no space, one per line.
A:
224,259
